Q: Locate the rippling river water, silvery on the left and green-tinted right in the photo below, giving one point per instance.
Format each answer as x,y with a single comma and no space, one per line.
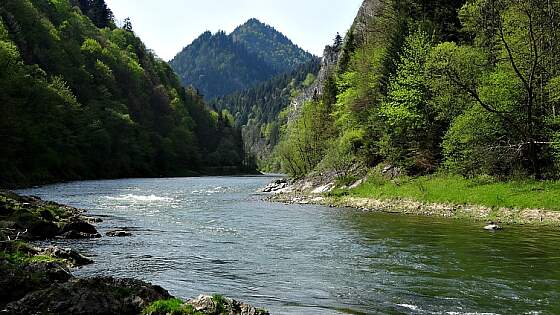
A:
217,235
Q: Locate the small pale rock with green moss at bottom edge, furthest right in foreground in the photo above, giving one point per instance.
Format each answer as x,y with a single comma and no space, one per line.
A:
220,305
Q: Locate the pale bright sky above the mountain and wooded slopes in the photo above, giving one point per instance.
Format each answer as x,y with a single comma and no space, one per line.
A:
167,26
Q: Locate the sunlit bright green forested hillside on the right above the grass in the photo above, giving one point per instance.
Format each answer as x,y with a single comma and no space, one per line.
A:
467,87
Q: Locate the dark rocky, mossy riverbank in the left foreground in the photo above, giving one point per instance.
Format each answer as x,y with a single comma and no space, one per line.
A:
38,280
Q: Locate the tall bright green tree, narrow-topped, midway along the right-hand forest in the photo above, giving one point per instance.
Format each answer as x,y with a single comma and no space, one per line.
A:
411,128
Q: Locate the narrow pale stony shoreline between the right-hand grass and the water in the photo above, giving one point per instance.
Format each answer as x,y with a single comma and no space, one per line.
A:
409,206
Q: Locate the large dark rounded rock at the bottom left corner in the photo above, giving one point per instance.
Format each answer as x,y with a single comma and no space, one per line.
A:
89,297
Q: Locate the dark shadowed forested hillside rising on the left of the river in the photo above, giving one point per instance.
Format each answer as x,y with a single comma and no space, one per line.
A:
83,98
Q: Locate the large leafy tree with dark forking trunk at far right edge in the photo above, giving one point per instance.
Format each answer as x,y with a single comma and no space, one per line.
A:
519,48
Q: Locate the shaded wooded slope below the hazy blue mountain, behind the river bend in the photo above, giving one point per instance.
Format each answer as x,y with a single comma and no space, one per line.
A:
262,110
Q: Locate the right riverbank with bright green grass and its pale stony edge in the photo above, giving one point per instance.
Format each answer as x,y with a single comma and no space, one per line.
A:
481,199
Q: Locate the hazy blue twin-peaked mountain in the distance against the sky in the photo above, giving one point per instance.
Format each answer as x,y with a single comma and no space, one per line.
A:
220,64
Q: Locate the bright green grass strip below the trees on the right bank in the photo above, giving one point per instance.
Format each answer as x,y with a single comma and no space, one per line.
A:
526,194
